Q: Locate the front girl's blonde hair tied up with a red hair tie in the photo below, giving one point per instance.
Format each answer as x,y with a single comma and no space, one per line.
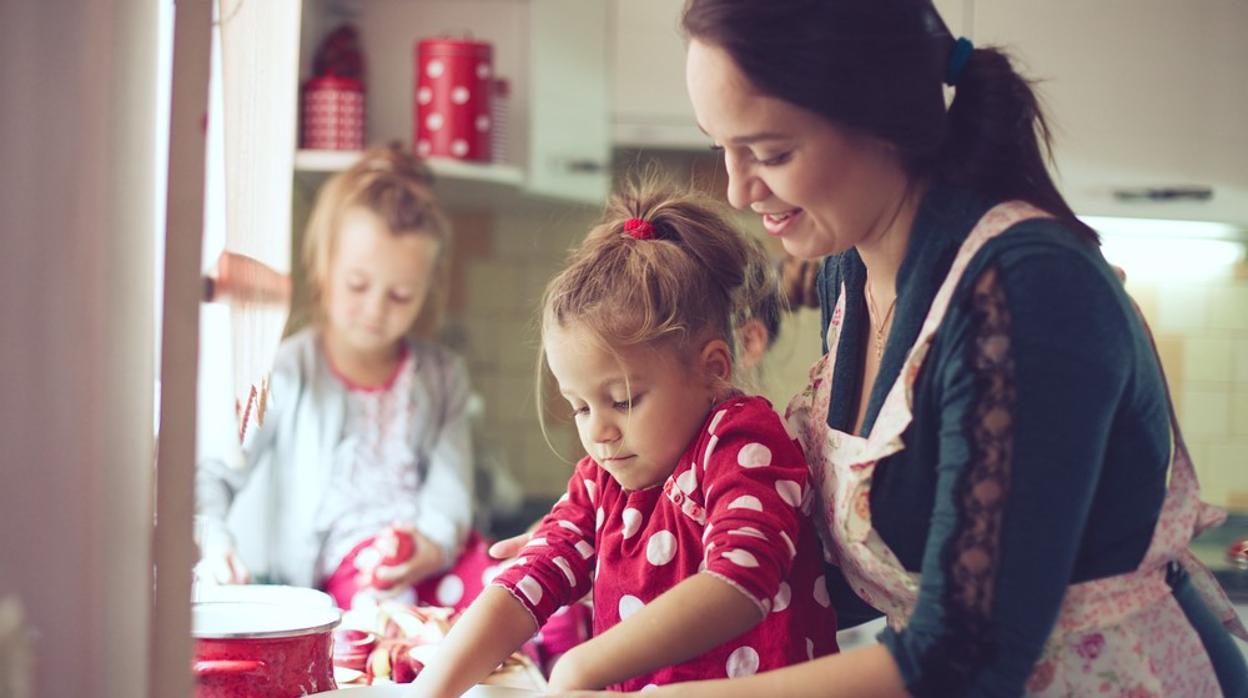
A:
692,282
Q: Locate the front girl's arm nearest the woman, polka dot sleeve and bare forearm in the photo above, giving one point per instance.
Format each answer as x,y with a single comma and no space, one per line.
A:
753,510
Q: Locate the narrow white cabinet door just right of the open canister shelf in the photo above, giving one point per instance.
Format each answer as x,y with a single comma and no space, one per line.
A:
568,134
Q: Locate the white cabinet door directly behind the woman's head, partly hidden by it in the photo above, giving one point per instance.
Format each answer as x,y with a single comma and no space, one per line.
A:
650,106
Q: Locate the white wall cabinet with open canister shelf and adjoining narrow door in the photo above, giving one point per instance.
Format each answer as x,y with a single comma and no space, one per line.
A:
553,54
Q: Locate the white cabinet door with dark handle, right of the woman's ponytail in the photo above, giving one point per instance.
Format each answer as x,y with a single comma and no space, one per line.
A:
1143,94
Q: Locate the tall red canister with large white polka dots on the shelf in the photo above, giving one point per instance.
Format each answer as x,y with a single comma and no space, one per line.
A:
454,92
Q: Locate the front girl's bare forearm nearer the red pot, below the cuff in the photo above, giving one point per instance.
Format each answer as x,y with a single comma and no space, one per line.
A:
494,627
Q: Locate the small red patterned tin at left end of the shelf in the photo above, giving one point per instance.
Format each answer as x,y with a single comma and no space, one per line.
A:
334,114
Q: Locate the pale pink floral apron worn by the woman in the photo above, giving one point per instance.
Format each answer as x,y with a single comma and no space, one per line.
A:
1116,634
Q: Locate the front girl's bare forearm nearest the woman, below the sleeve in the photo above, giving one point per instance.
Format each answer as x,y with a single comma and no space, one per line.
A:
695,616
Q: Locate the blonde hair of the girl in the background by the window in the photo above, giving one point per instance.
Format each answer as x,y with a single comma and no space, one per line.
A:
397,188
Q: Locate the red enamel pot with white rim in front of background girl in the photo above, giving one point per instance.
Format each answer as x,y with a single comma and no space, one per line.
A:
263,650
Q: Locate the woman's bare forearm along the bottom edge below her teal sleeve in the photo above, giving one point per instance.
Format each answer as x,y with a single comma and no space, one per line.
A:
868,672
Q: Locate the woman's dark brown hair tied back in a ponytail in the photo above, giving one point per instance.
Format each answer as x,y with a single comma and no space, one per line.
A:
878,67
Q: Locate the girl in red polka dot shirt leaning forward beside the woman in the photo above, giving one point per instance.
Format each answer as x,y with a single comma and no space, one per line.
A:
686,519
